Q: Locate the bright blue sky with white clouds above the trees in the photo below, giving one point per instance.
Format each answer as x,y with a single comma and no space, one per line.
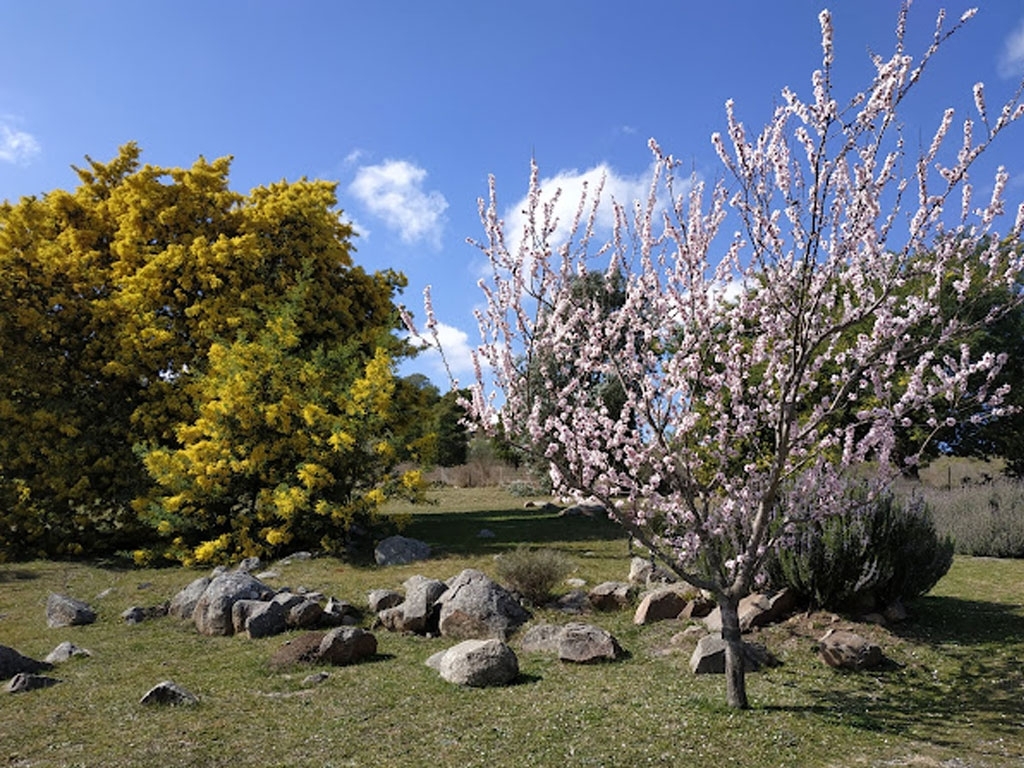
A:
410,106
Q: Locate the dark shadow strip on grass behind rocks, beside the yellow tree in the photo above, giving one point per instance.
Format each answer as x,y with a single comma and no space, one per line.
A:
459,533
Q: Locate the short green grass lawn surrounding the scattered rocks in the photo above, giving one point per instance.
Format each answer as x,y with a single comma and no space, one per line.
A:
953,697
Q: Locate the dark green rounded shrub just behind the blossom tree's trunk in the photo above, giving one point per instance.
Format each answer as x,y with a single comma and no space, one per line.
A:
876,553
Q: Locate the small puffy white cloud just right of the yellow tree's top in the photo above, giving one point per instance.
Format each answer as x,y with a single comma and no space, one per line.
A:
394,192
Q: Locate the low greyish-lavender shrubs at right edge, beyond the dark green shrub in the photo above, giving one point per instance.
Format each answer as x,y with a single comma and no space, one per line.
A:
984,521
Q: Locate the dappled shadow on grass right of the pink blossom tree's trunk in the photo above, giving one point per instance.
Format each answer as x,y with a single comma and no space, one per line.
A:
977,684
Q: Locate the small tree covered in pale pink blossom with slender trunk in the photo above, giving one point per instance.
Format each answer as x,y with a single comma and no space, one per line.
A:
742,357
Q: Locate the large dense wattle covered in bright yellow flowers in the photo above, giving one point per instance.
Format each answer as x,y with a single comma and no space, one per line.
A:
184,360
